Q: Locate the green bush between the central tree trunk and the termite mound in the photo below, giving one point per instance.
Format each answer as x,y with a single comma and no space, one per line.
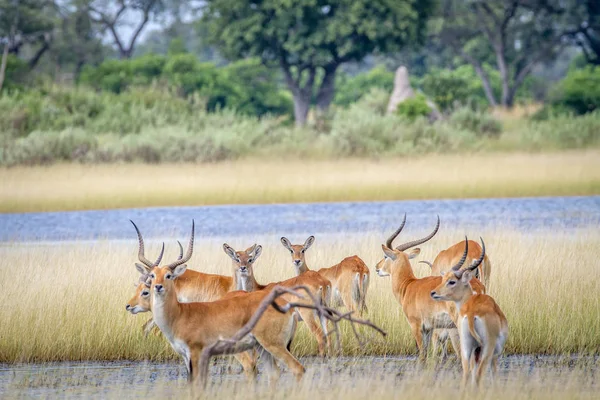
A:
351,89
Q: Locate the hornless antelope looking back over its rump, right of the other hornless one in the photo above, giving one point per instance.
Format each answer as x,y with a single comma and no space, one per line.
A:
349,278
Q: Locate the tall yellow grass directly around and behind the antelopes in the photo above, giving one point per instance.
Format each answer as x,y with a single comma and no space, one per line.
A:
67,301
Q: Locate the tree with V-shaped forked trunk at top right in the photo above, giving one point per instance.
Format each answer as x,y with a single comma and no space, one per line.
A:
519,33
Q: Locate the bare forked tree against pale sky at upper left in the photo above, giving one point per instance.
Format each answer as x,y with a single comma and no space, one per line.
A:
111,15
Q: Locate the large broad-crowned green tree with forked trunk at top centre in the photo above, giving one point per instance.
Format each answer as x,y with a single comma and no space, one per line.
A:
310,39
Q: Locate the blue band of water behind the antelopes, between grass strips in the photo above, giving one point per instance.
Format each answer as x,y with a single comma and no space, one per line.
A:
315,218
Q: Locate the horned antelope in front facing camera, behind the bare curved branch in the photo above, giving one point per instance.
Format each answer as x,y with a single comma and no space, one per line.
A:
189,327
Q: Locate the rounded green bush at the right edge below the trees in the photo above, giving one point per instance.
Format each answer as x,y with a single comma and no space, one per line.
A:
579,92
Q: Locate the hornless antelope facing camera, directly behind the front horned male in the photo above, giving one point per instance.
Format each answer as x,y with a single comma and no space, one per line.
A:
243,279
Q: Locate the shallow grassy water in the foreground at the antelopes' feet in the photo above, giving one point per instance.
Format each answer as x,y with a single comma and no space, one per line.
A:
139,379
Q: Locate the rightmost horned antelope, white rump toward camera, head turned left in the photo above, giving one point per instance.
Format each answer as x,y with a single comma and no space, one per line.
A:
482,326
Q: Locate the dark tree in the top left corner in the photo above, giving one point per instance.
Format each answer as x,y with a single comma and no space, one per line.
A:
24,22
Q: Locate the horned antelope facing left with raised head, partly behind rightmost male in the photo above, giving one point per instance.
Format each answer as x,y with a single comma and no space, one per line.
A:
422,312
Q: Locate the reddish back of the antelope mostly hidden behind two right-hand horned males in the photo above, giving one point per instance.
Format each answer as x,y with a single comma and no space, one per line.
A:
446,258
